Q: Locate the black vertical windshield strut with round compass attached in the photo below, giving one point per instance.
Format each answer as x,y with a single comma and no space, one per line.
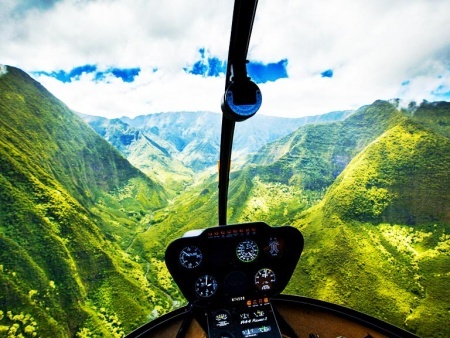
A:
242,97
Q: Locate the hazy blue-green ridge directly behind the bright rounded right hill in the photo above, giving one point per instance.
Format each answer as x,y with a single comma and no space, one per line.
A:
313,156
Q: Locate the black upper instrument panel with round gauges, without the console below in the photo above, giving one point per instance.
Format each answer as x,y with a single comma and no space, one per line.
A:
224,263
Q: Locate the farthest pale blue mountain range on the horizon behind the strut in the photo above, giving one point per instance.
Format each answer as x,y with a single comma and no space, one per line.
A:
197,134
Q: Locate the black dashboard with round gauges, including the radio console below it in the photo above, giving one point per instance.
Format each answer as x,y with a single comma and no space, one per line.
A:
229,273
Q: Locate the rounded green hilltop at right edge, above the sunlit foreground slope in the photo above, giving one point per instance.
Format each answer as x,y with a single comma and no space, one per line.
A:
401,177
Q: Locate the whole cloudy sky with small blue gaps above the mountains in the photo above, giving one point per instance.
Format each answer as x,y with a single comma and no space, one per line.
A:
132,57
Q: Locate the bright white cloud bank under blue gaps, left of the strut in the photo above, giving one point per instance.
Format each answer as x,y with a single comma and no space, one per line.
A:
150,92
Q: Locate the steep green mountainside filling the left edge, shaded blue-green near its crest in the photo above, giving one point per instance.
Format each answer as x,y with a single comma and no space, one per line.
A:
70,205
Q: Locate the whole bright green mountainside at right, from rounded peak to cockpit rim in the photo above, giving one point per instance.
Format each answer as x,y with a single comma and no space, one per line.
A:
378,241
